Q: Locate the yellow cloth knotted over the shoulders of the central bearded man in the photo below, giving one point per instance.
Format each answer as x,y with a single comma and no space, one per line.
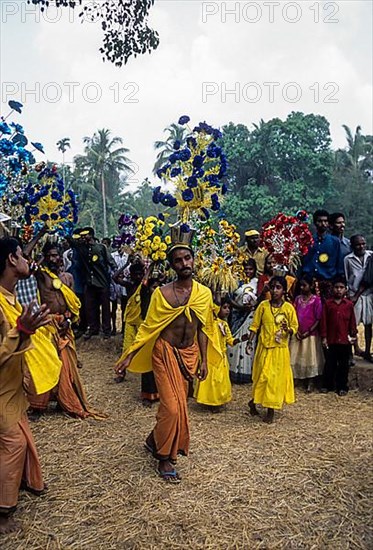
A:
161,314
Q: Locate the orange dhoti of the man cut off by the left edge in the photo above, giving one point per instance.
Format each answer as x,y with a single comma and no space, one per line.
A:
19,465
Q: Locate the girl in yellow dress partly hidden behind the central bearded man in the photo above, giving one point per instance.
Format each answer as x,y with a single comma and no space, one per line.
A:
216,390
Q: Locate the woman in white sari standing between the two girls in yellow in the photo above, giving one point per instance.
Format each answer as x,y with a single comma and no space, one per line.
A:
243,304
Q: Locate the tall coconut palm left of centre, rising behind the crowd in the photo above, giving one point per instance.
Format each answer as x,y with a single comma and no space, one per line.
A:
104,165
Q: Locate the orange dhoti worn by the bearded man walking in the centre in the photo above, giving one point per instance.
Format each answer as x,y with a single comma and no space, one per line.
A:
171,433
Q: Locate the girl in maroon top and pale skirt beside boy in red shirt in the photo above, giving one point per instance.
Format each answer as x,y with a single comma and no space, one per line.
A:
307,359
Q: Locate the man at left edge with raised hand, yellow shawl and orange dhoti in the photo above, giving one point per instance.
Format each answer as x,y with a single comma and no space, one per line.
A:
19,461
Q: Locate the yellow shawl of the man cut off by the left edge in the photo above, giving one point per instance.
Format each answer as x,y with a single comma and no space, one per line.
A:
42,361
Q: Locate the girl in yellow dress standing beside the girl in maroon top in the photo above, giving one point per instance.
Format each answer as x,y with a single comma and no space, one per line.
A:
275,320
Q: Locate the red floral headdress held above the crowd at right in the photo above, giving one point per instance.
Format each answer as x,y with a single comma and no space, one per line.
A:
287,238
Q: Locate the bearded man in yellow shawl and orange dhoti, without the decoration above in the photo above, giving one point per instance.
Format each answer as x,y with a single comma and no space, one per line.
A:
177,340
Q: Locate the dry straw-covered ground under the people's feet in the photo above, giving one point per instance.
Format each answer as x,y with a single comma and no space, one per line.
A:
303,483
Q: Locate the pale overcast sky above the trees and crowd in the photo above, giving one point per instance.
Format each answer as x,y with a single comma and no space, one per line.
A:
322,48
